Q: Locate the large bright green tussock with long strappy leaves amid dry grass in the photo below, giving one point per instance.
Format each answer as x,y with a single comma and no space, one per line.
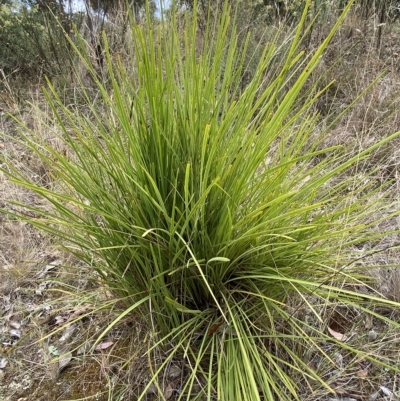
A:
209,208
